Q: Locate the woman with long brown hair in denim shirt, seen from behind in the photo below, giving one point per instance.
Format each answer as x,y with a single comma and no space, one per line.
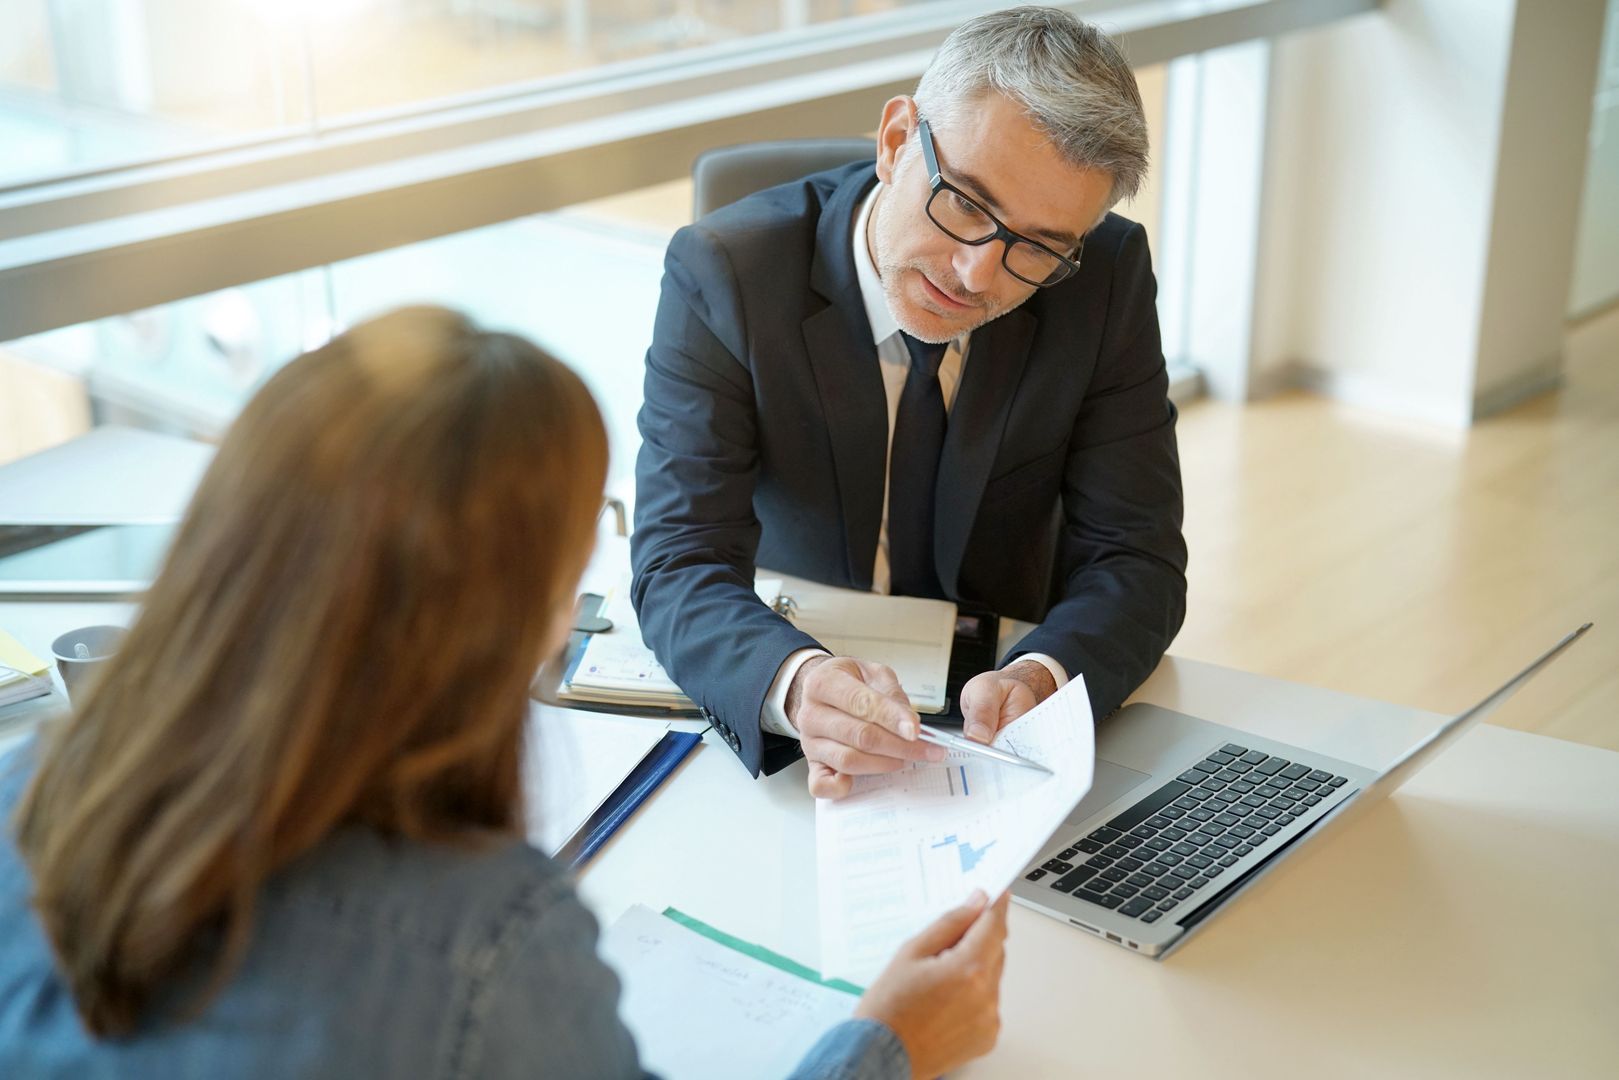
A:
283,833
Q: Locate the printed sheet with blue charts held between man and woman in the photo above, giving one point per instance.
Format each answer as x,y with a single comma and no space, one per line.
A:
904,848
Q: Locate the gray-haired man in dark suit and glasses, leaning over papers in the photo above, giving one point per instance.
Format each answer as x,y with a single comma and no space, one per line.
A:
937,375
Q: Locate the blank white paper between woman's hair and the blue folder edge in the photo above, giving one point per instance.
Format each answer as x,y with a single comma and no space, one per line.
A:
574,762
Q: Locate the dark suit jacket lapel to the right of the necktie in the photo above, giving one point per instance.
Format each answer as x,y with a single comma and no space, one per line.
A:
995,367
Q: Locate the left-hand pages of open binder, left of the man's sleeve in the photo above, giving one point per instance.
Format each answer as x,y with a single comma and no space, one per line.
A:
616,668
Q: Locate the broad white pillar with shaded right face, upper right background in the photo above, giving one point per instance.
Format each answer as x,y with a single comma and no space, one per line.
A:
1411,232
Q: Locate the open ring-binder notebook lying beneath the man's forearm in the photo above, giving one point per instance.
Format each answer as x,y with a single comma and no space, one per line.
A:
911,636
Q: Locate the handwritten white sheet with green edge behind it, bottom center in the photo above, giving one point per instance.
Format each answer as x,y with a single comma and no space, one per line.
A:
700,1011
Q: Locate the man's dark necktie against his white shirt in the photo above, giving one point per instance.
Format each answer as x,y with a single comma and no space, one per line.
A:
914,474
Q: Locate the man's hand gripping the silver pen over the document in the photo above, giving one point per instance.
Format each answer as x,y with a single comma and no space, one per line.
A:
852,720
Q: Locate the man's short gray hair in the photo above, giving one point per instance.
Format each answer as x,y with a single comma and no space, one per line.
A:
1071,80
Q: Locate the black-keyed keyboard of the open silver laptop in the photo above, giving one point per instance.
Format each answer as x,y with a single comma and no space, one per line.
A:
1162,851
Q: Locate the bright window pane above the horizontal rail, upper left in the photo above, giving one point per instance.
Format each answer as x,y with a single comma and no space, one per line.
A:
88,85
